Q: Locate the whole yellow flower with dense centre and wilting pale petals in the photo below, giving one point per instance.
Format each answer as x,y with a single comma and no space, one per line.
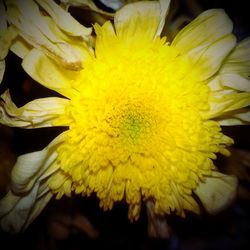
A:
144,116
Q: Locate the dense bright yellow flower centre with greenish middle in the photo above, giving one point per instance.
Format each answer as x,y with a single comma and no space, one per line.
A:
136,127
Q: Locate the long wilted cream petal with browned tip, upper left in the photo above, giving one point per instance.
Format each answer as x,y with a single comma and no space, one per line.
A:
37,31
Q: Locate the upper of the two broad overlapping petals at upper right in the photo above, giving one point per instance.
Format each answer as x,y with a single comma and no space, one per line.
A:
203,31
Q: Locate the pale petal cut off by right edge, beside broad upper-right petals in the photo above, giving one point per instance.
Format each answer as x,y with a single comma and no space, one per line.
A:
239,60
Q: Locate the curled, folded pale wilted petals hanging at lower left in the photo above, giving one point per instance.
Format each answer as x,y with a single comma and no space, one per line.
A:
29,191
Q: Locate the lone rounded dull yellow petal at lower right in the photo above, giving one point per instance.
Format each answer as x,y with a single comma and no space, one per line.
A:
217,192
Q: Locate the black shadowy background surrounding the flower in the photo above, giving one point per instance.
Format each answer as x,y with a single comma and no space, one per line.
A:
229,230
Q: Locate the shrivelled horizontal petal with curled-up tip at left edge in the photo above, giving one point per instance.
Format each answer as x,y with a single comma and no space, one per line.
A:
35,114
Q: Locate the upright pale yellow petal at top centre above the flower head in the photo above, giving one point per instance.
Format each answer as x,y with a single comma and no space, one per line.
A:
139,18
